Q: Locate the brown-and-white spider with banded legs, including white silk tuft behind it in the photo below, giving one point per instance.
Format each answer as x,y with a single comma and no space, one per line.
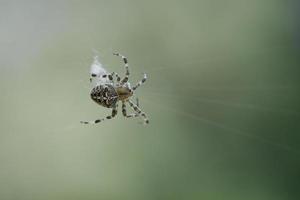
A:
107,92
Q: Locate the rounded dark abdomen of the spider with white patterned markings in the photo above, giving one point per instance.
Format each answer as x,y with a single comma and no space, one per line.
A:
105,95
